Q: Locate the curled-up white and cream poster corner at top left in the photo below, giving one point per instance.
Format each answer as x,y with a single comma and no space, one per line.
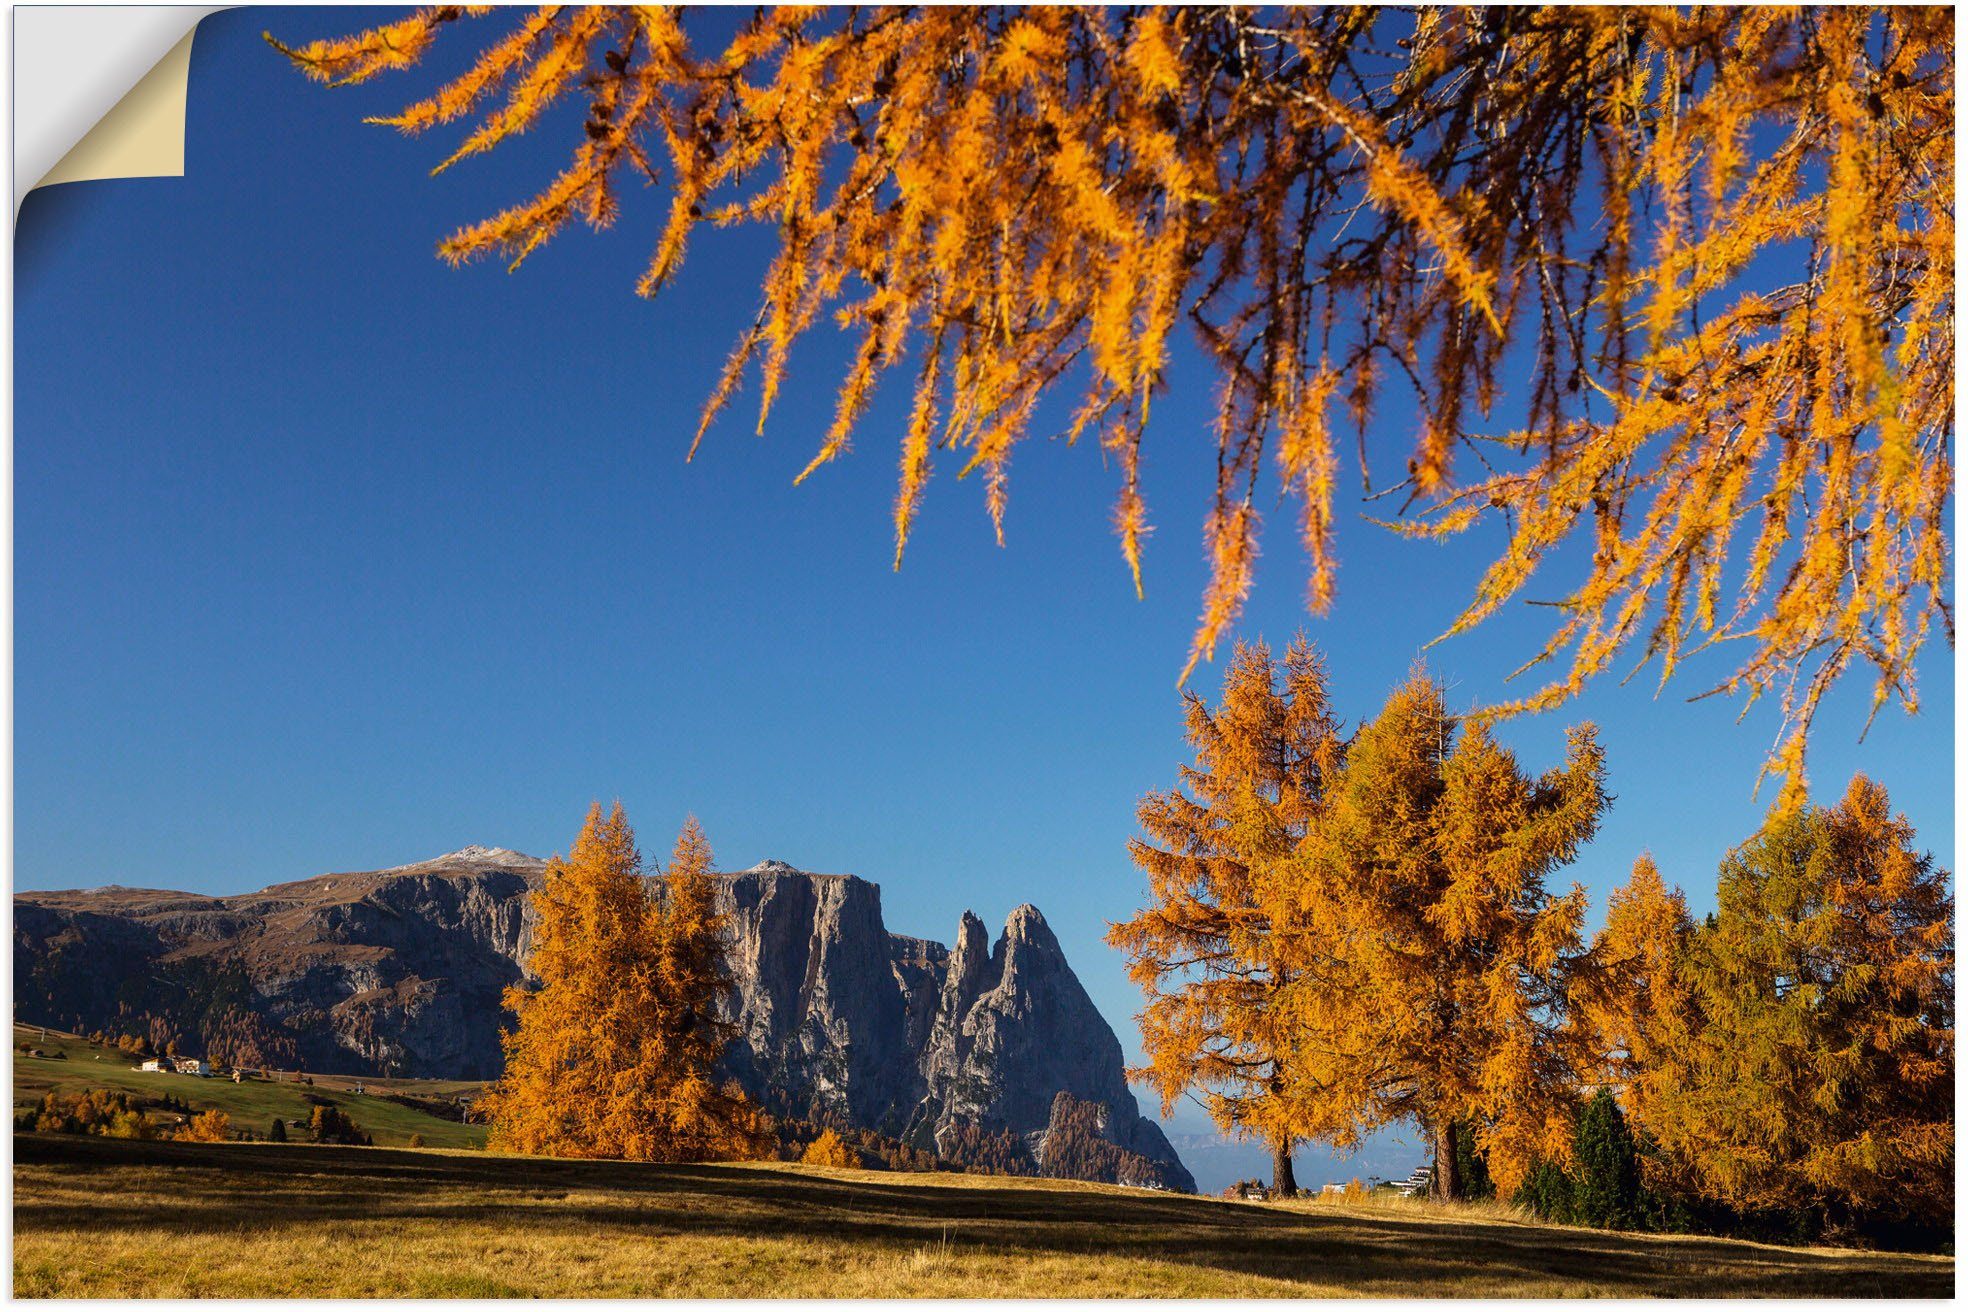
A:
101,93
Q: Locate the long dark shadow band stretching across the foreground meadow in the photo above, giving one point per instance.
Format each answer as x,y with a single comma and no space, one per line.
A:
223,1187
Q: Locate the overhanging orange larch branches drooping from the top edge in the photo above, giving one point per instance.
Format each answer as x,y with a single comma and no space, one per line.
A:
1670,284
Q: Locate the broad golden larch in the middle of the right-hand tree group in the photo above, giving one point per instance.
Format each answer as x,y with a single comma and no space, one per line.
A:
1428,959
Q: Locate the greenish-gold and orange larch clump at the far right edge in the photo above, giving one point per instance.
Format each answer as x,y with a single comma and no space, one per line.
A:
1819,1071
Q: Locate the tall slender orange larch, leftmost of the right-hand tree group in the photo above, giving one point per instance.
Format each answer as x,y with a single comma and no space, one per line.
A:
1203,949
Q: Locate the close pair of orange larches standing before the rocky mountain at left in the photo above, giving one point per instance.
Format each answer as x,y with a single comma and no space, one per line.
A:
615,1047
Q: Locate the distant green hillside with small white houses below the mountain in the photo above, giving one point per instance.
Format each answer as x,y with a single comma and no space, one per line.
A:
253,1104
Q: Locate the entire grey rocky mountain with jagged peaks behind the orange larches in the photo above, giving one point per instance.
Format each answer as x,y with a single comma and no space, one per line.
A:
967,1049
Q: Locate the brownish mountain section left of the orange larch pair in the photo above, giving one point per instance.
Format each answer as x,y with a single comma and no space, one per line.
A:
373,973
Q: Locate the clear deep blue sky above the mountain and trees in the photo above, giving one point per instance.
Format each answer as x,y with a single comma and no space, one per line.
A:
332,558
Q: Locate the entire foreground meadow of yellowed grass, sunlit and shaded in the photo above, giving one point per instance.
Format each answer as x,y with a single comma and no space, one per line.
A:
115,1219
